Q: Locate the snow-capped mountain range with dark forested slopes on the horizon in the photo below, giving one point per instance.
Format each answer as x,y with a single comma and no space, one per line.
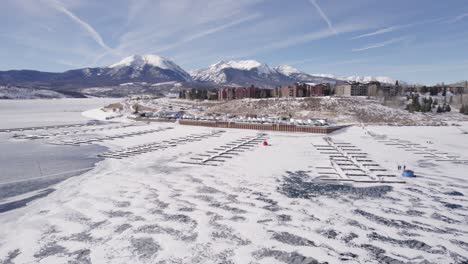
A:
153,69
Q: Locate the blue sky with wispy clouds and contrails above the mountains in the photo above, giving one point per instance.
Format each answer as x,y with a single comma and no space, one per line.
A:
421,41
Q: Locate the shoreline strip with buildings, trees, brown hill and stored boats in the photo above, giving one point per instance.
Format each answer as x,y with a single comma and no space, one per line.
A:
303,104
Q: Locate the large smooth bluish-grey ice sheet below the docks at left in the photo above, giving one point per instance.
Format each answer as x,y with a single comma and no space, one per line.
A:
30,165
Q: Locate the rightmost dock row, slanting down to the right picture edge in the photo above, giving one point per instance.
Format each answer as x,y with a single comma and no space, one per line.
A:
418,149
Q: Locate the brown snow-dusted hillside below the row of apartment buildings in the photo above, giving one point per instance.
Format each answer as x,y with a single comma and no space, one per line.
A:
342,110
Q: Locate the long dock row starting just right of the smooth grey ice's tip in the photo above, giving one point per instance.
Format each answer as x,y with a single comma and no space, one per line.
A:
160,145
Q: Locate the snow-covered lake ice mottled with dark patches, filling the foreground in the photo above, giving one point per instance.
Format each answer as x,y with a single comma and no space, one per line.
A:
165,194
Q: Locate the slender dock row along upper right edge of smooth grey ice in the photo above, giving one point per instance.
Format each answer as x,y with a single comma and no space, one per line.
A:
91,140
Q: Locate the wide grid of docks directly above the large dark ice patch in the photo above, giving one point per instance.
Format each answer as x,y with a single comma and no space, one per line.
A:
349,163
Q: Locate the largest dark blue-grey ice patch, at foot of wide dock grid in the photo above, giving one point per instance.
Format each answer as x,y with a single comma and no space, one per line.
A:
294,185
